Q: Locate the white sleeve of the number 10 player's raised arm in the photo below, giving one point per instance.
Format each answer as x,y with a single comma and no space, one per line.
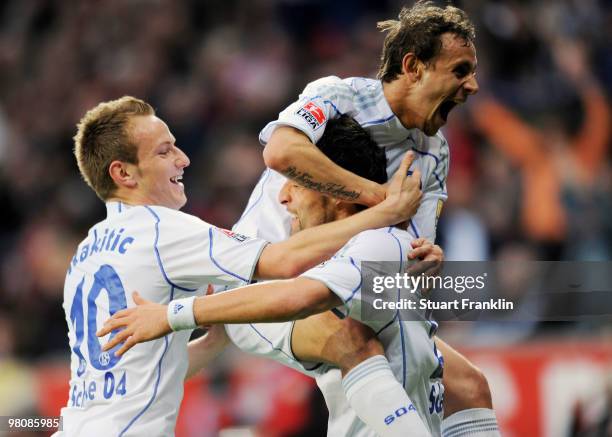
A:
193,253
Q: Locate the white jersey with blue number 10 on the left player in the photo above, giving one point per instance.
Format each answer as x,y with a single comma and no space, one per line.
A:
164,254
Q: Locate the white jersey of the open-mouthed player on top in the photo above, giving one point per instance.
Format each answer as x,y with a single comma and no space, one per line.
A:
362,99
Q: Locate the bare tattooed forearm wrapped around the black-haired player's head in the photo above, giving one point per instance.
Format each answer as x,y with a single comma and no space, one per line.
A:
291,153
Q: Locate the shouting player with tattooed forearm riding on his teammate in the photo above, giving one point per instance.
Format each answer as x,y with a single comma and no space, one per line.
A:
427,68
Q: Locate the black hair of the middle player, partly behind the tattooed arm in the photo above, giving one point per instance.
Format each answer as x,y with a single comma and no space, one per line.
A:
350,146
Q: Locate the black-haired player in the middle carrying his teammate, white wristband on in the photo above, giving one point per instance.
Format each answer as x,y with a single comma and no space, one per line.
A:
371,387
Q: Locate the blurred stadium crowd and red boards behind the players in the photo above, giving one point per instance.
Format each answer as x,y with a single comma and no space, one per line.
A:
530,178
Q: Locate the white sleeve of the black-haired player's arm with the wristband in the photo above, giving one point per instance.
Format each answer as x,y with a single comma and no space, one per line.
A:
342,273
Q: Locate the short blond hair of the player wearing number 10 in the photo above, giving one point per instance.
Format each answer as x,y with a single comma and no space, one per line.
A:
103,137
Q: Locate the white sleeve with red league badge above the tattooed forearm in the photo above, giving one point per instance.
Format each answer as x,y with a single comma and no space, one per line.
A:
321,100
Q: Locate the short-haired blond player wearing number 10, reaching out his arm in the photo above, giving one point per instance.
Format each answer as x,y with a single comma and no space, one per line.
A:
128,156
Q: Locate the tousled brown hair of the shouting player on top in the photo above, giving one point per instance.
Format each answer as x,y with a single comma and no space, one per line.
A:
418,31
